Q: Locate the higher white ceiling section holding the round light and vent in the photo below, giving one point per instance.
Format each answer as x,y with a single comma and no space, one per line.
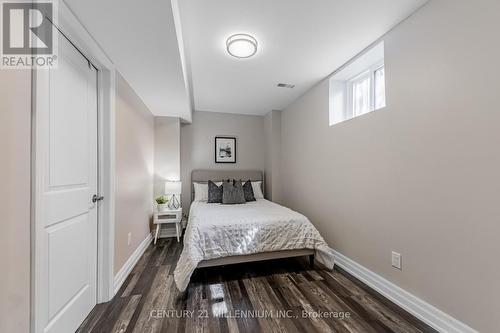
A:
300,42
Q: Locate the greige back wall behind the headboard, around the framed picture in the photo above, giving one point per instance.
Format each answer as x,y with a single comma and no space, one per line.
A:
198,140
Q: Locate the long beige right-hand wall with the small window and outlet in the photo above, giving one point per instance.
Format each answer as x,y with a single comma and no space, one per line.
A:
420,177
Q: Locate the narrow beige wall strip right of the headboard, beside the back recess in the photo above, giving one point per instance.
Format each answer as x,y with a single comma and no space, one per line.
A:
272,130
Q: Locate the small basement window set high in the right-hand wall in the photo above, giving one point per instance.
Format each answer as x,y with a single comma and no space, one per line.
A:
359,87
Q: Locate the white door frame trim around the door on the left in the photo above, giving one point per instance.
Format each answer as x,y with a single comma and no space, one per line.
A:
70,26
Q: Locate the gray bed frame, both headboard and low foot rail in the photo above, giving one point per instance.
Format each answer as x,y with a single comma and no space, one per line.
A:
203,176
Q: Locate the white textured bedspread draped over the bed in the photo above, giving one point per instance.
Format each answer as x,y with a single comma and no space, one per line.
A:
216,231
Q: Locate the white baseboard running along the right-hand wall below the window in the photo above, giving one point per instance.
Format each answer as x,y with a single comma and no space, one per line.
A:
414,305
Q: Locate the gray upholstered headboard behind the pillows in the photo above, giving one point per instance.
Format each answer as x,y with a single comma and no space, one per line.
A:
203,176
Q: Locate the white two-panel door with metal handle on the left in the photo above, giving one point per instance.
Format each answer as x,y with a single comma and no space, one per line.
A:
65,181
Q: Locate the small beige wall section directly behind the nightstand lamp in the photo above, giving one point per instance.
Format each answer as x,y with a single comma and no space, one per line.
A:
167,152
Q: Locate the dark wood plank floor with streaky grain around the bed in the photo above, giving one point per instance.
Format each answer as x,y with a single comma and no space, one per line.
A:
273,296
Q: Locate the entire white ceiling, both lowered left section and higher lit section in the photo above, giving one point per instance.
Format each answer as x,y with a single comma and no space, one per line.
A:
163,51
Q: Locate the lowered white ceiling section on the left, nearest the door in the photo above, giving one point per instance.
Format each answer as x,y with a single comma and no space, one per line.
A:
140,37
